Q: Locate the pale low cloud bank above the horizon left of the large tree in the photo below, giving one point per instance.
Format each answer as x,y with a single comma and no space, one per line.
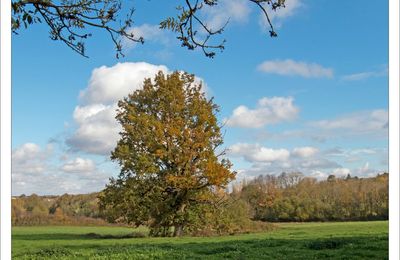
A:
37,170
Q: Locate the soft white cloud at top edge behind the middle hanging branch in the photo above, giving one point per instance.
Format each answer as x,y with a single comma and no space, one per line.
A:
236,11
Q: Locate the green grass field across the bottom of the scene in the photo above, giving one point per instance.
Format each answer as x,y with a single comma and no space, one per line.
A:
346,240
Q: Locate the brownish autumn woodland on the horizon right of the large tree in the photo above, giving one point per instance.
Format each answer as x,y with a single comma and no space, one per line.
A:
293,197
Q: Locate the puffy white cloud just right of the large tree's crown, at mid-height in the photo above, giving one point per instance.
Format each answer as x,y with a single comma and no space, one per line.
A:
268,111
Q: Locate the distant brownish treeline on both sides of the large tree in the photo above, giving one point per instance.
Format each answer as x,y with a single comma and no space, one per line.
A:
287,197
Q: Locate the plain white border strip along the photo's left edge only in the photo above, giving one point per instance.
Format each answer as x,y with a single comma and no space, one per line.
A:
5,141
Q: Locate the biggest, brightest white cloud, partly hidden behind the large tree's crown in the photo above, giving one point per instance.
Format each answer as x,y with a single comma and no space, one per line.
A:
96,129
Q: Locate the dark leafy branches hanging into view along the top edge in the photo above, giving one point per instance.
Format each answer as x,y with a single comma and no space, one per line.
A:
73,21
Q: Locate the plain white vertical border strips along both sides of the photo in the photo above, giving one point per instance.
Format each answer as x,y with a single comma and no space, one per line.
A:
5,141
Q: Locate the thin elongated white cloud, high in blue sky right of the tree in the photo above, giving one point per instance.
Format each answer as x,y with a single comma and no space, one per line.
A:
290,67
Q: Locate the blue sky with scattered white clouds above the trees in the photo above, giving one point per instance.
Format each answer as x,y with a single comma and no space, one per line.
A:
314,99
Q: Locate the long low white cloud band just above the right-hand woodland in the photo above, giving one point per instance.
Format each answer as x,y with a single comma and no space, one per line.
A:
306,159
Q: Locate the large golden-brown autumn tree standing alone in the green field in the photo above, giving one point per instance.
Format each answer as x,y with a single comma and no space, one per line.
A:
168,156
